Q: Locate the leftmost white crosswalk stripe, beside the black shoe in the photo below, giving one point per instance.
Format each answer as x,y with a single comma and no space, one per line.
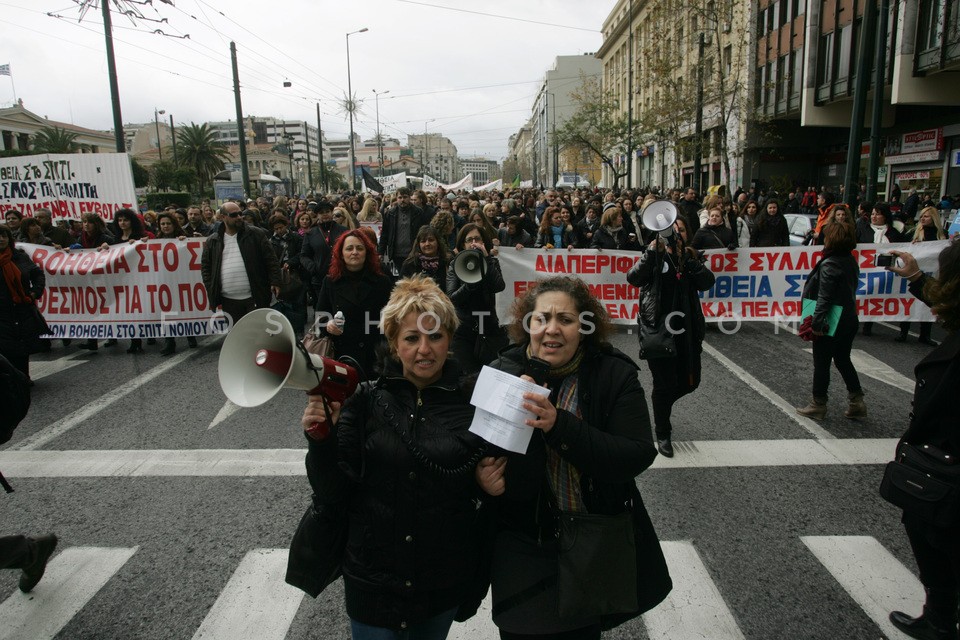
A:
71,579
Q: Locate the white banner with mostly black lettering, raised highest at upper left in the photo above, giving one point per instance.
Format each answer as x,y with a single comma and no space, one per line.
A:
70,185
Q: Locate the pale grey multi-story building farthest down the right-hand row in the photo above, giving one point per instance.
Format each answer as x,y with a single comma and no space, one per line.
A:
552,106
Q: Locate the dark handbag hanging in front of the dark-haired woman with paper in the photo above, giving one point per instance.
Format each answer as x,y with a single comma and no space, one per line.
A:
596,565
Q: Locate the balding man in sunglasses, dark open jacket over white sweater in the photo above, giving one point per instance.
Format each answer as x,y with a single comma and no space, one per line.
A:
240,269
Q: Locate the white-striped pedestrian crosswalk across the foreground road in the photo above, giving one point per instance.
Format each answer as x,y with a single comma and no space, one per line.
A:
255,603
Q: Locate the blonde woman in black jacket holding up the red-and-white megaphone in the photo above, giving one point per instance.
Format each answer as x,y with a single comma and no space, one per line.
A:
398,466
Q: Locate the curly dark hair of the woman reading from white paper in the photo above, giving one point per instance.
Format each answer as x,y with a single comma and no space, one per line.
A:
595,325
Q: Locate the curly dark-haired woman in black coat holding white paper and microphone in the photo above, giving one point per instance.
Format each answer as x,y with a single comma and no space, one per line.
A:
591,439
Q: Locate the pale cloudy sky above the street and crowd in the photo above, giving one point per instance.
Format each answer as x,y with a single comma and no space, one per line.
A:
474,75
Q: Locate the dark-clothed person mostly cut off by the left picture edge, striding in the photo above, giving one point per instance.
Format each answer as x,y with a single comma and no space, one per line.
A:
30,555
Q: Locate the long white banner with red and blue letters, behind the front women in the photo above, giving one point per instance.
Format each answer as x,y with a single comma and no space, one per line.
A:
752,284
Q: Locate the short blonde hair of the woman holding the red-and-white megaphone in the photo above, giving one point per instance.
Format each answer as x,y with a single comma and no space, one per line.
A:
421,295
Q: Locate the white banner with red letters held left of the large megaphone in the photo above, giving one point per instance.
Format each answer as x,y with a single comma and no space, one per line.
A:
143,290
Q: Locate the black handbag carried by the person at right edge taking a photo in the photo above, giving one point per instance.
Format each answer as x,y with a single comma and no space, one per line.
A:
925,482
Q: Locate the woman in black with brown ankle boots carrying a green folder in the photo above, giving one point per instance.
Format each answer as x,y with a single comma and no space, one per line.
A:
833,285
